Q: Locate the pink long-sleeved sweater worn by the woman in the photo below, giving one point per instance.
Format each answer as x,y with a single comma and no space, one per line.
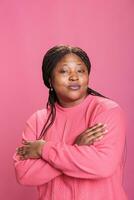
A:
72,172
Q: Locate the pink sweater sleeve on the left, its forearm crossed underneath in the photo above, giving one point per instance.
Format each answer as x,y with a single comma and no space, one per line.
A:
33,171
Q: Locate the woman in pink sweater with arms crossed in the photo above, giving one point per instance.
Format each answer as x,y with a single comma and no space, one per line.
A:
74,148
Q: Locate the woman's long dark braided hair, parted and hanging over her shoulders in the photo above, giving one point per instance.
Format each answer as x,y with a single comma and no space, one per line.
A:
50,60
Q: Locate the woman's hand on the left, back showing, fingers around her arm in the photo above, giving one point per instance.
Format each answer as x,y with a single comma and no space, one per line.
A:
30,149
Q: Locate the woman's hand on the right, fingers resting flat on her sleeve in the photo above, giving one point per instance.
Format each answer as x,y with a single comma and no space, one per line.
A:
92,134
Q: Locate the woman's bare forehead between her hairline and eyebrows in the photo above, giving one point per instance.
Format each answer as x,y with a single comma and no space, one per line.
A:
70,58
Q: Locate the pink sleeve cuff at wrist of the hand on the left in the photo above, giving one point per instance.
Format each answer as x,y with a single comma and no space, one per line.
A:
46,150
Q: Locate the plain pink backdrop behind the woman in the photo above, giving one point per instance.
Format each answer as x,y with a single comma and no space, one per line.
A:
104,29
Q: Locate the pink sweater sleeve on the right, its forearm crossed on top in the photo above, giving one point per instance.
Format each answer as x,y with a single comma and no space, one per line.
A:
96,161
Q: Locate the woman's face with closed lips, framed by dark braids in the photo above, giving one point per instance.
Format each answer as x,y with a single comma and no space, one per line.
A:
70,80
